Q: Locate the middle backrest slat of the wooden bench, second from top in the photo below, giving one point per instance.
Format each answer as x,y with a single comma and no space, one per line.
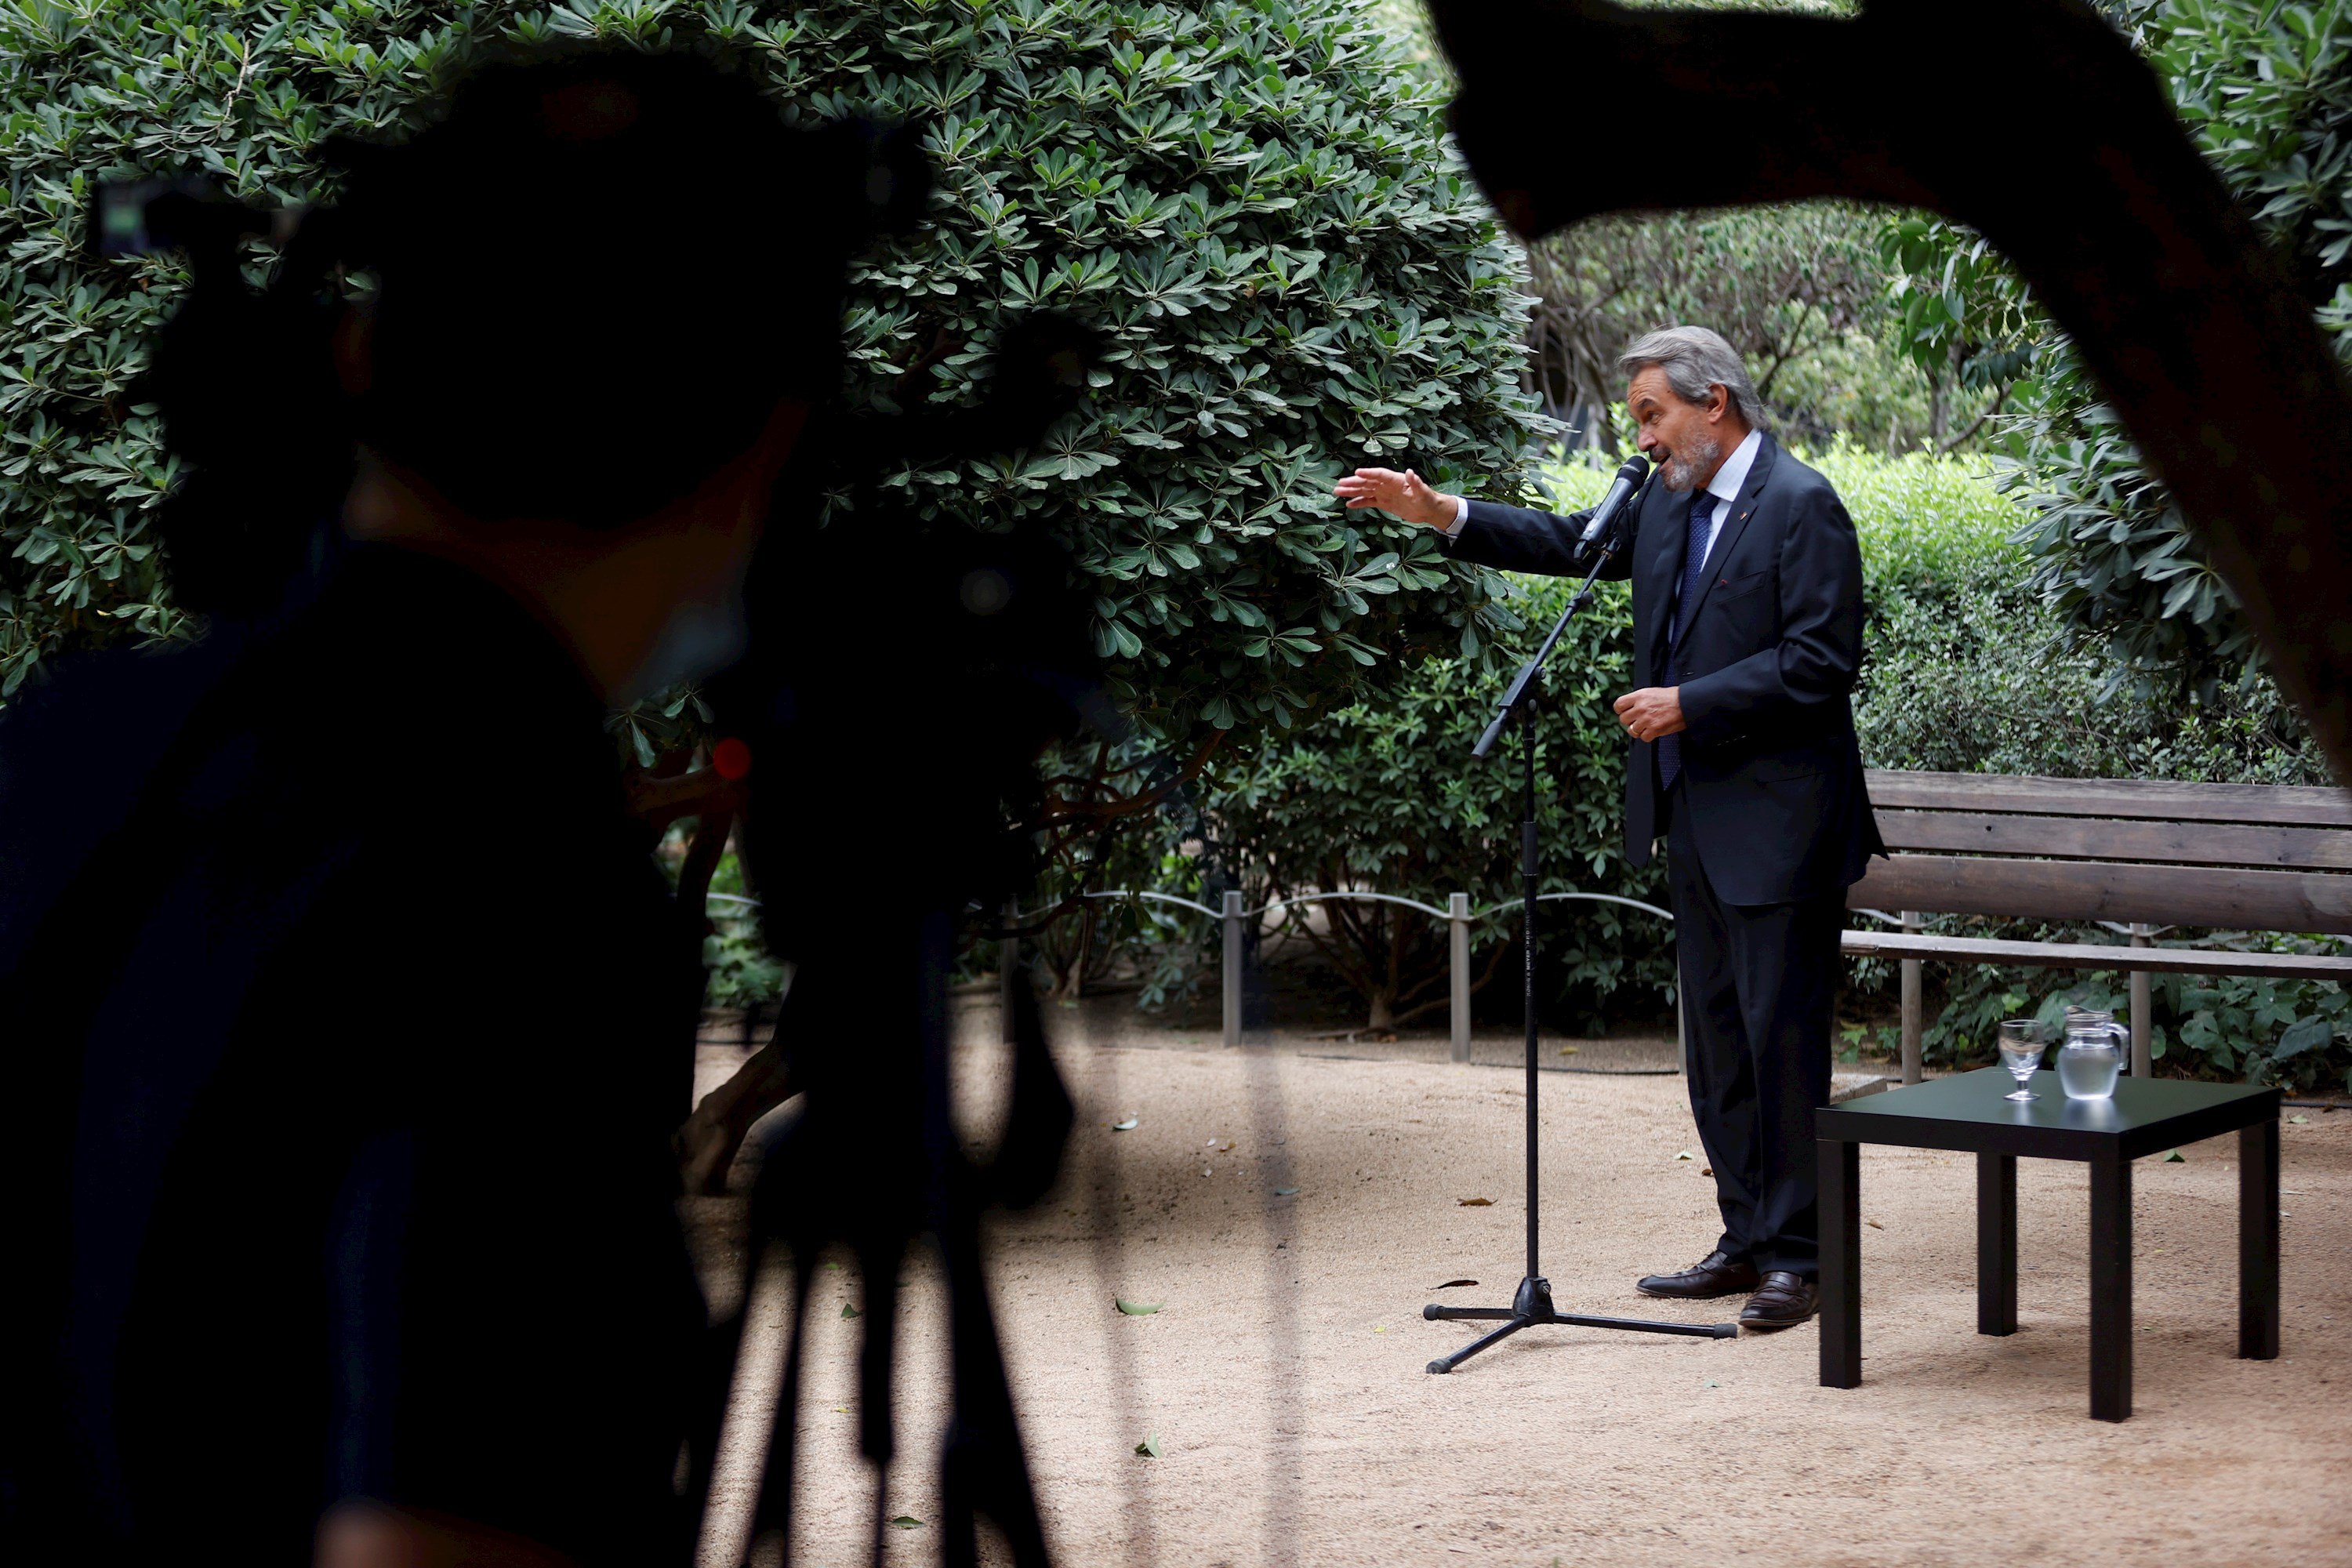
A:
2087,838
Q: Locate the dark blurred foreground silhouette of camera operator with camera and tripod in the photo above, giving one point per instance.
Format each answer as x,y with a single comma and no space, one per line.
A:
352,1014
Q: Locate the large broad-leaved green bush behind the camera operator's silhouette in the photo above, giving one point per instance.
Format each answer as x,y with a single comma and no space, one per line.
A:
1252,201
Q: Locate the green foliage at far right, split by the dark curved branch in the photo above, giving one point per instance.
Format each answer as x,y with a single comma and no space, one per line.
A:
2266,91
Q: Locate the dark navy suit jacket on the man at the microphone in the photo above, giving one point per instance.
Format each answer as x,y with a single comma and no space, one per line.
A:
1772,772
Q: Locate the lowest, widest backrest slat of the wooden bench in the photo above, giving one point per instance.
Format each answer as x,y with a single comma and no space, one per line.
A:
2094,890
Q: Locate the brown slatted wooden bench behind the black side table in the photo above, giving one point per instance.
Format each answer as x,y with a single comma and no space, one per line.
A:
2127,855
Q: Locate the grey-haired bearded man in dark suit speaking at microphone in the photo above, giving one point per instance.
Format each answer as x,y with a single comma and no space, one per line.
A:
1749,631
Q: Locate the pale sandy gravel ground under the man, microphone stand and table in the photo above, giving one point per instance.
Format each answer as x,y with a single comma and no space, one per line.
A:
1283,1376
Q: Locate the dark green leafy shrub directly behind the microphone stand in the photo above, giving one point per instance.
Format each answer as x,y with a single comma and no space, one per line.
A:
1389,798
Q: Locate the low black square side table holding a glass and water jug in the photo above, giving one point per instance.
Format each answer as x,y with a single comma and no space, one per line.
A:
1970,1113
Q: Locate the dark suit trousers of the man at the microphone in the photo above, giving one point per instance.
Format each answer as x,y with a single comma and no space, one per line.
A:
1758,993
